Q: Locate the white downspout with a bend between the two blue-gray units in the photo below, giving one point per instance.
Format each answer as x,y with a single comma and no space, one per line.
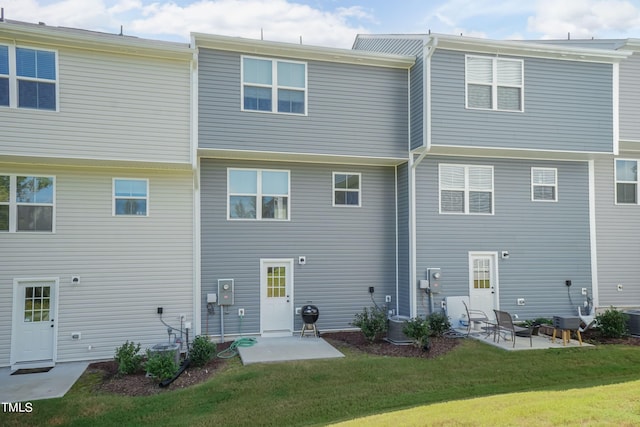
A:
413,164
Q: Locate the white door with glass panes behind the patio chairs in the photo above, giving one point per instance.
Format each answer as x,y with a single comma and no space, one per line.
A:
483,282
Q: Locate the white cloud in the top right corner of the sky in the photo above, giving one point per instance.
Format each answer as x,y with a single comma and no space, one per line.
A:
585,18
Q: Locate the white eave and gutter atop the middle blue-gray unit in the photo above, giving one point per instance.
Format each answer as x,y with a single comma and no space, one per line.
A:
300,51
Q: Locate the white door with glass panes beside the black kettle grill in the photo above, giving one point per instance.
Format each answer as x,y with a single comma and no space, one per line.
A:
276,302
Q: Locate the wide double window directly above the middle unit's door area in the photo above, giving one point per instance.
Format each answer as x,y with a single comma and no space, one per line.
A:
258,194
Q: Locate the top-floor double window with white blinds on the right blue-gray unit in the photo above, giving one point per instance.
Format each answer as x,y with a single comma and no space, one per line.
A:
494,83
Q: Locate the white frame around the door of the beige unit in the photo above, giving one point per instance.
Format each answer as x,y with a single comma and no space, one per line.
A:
17,316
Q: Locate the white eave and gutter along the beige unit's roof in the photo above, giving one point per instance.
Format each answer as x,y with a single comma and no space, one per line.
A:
42,34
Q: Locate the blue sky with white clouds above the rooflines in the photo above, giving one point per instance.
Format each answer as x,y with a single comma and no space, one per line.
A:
335,23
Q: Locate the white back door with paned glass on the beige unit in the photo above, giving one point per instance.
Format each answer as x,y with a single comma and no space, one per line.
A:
34,327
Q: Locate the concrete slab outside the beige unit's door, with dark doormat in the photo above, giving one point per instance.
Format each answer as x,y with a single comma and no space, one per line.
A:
44,385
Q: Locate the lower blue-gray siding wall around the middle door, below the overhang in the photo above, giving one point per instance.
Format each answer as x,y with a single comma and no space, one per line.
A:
348,249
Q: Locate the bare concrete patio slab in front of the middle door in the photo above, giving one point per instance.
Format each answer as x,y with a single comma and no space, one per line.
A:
286,349
